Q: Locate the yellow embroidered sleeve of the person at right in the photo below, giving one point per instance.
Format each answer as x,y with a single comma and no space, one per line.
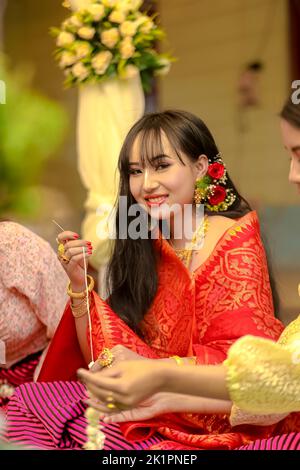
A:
264,376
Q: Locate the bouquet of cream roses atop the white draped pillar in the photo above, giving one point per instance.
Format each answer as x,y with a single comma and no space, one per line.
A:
109,38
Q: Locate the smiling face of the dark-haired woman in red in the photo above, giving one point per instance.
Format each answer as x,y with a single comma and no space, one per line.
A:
162,180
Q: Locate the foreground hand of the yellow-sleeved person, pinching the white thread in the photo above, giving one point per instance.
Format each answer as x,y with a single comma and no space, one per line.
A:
129,382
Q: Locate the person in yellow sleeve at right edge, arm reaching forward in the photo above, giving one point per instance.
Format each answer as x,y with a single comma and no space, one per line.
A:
260,376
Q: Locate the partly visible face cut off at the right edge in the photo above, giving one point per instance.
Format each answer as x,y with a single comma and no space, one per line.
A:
291,141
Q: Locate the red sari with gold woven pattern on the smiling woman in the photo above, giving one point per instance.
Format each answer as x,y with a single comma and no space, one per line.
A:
199,314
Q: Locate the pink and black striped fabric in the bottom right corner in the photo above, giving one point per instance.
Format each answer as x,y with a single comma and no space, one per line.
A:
289,441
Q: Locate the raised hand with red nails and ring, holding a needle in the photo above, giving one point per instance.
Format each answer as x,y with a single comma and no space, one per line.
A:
74,268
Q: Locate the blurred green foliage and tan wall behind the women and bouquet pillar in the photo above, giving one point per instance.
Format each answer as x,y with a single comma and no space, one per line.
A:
235,63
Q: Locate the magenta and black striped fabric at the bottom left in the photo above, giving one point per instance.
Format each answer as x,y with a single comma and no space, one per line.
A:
51,416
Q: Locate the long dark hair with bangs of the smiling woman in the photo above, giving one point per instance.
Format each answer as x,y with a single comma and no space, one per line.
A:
132,272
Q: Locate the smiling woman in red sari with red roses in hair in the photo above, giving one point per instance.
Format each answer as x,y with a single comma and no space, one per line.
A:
165,302
